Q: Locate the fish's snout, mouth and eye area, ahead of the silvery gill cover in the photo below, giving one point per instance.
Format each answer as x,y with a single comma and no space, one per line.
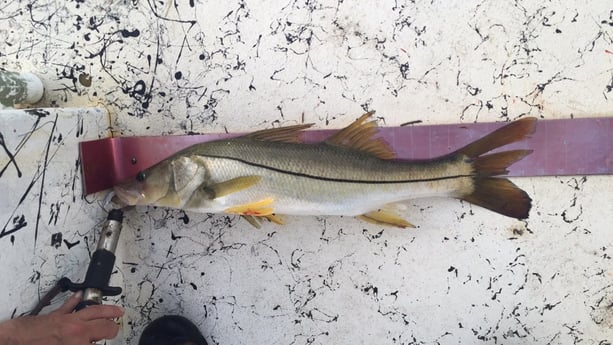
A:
148,187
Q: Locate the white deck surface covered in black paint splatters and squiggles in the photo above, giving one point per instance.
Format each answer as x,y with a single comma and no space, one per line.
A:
464,276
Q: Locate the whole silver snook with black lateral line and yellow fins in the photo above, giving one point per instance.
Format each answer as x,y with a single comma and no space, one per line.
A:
269,173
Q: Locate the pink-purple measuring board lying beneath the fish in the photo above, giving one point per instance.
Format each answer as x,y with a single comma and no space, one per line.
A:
561,147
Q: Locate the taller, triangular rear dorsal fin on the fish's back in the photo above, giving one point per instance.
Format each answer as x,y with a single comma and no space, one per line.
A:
360,136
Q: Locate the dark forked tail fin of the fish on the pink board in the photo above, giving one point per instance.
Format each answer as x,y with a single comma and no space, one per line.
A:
497,193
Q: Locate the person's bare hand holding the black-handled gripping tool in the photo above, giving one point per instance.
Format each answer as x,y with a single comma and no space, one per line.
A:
62,326
